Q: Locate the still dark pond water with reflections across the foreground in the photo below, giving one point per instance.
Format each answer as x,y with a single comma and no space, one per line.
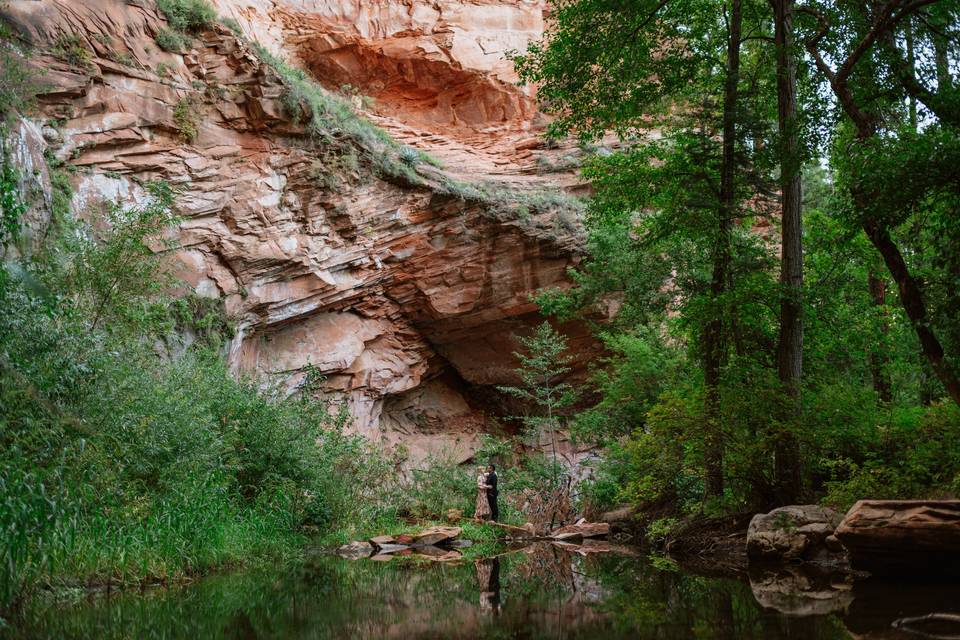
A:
536,592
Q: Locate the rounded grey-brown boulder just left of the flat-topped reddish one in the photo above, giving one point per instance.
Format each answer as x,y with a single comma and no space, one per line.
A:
794,532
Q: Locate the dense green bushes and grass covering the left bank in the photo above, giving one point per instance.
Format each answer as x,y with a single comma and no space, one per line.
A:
118,465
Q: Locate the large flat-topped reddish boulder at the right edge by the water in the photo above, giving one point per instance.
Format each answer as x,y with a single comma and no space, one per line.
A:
918,538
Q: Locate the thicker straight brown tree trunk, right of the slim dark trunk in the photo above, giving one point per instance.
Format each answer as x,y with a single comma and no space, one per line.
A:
790,345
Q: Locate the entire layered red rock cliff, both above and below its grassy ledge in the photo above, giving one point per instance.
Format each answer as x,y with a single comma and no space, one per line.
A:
402,297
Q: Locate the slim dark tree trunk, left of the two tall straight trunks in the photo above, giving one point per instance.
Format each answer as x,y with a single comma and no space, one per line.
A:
714,338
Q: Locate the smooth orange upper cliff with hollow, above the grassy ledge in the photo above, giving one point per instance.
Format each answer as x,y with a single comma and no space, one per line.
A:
434,73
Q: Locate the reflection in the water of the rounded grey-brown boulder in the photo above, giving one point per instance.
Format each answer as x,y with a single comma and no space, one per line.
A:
798,591
